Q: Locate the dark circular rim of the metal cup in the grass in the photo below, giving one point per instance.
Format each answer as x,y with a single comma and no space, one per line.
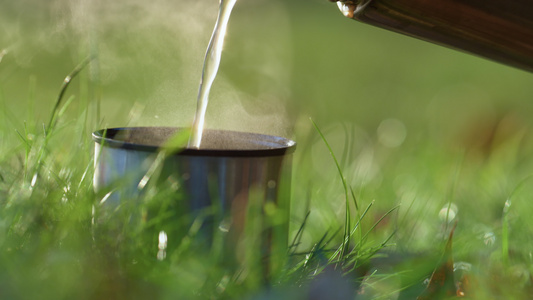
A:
264,145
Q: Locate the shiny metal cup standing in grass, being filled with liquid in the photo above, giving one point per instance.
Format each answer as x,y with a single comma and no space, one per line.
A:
245,176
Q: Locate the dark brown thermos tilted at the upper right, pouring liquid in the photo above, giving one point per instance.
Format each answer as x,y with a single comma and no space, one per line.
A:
500,30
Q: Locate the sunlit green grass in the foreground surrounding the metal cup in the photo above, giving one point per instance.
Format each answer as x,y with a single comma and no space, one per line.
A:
59,241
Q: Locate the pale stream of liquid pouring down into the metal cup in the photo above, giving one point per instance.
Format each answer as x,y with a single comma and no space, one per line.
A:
211,65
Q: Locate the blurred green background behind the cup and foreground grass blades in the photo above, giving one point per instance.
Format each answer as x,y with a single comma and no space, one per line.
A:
411,123
